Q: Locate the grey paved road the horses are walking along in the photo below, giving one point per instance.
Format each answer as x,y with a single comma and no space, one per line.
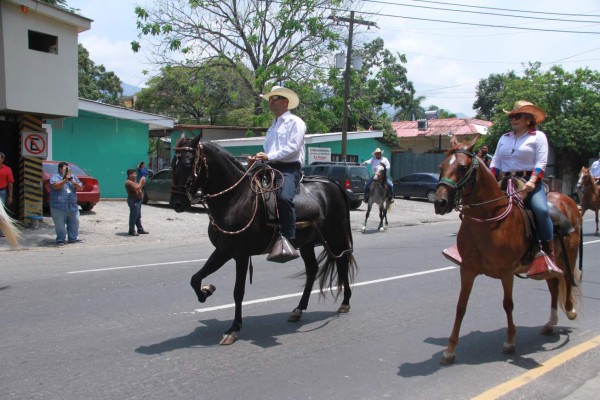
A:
120,322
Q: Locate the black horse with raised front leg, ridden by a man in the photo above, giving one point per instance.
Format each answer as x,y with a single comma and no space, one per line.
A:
239,228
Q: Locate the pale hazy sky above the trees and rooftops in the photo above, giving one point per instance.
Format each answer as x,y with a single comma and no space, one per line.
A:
449,47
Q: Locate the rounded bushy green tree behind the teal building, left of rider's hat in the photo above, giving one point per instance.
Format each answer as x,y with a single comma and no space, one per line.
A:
209,94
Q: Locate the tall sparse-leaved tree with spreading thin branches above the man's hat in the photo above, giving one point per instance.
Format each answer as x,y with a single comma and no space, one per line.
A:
276,40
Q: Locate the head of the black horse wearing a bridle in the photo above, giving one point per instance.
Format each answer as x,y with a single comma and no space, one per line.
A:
184,167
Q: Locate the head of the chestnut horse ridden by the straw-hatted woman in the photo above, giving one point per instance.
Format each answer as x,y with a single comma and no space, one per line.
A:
458,171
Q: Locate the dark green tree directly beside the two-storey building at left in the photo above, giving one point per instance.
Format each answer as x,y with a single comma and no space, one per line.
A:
95,82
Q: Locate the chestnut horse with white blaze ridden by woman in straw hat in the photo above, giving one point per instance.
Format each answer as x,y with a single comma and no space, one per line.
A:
492,241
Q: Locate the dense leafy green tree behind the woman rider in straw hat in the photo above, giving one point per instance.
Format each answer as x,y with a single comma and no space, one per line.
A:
571,101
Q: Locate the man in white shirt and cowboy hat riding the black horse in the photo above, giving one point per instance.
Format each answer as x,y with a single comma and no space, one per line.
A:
284,150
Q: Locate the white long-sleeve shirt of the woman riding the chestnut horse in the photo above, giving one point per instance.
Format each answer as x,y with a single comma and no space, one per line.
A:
526,153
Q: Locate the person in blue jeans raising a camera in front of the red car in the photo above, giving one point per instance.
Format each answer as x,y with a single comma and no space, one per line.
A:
63,205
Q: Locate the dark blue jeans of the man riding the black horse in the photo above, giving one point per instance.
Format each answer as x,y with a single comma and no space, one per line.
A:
285,198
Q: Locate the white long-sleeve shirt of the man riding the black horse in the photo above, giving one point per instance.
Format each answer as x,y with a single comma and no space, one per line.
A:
285,139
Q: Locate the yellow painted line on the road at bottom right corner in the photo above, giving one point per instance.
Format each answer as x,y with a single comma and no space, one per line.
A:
533,374
